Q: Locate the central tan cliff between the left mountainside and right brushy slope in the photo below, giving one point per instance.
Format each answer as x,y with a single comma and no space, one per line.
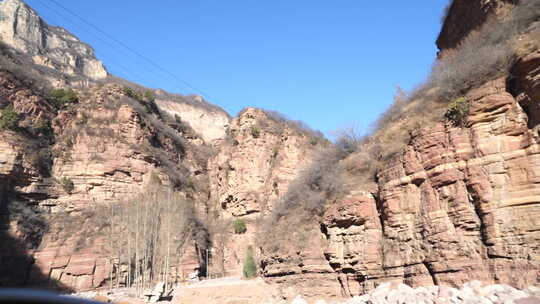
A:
253,169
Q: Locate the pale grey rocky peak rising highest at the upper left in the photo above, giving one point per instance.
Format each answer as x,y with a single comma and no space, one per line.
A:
53,47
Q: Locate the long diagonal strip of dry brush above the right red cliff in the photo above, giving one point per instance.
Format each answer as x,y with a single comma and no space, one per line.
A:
484,55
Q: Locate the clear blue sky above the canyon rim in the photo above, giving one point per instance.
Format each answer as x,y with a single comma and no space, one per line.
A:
327,63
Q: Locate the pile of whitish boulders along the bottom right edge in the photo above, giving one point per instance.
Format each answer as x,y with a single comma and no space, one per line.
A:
472,292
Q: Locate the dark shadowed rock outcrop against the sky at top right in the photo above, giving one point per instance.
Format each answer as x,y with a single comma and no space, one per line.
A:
465,16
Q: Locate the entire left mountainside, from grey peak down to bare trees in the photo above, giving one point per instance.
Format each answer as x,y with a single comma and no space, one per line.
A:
75,151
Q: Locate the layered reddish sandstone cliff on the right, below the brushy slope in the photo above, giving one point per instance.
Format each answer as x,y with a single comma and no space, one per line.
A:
459,203
